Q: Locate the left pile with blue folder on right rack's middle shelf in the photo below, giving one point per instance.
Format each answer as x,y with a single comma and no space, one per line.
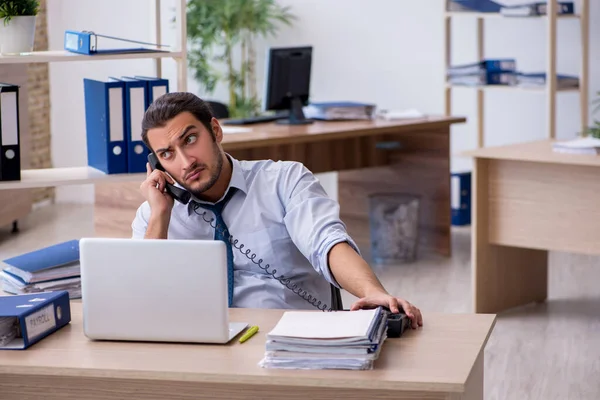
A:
484,72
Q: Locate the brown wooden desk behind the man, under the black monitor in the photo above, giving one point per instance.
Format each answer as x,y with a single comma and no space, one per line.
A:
371,156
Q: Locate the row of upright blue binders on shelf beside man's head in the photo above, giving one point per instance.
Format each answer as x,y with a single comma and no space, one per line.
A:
114,110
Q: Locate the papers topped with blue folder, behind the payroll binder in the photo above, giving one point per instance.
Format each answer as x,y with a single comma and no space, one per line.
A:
47,269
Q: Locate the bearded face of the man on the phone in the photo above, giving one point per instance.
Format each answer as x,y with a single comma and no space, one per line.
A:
189,152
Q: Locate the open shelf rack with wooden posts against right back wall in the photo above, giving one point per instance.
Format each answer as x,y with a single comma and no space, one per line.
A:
550,89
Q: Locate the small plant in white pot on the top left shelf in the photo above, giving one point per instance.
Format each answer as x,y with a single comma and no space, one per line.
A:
17,29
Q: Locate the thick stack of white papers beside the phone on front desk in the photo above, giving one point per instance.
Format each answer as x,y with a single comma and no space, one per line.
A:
329,340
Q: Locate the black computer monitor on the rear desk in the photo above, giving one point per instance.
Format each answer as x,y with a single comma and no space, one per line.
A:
288,82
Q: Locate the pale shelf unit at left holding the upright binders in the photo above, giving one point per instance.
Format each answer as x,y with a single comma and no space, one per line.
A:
49,177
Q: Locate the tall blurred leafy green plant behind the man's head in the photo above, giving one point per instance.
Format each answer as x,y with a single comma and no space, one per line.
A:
222,35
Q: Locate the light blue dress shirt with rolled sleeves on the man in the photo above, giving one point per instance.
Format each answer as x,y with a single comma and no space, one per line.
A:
284,216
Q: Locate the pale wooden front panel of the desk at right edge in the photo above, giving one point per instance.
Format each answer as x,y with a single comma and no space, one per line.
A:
544,206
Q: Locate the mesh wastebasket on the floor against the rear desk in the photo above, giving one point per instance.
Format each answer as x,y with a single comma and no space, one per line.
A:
394,227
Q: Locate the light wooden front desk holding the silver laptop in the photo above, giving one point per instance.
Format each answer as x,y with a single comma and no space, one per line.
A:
442,360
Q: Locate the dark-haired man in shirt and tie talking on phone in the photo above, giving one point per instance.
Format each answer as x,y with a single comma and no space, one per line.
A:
281,221
